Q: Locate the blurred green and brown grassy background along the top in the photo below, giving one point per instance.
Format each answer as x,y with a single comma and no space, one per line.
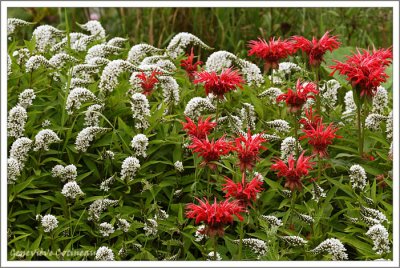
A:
224,28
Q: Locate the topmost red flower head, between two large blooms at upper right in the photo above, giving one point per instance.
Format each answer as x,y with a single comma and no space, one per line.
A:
315,49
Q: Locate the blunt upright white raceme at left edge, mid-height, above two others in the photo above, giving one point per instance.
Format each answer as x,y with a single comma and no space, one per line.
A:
16,121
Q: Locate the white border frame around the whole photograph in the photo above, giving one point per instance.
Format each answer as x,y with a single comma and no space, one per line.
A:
393,4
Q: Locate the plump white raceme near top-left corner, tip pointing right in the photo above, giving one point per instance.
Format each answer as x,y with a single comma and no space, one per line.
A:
45,36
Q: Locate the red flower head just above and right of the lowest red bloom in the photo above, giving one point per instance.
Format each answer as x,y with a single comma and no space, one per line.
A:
245,192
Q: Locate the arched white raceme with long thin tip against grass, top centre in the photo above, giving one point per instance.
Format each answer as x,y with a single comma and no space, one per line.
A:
181,41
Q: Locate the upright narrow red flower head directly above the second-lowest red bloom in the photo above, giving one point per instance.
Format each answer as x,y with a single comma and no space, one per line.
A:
248,148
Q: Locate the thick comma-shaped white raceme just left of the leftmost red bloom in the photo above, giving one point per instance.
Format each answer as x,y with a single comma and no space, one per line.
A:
109,77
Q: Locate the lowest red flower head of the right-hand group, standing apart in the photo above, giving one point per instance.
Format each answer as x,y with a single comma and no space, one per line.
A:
293,172
